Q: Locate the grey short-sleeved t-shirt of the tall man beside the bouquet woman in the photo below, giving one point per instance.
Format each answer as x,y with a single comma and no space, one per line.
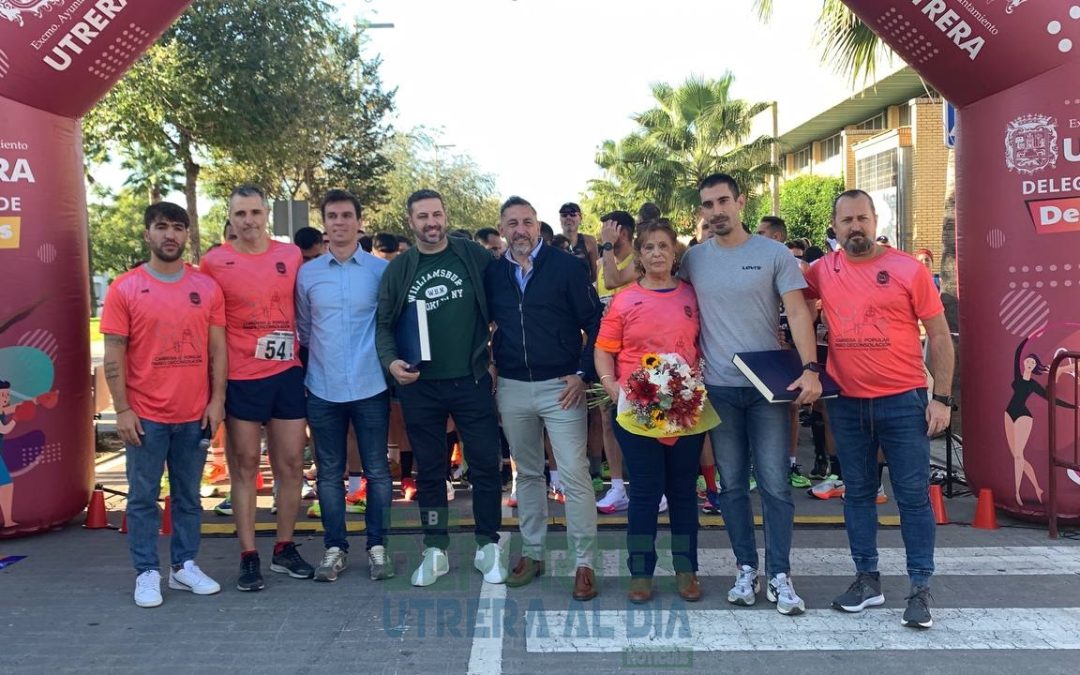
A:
739,295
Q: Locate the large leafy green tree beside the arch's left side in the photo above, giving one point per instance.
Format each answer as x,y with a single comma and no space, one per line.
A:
253,84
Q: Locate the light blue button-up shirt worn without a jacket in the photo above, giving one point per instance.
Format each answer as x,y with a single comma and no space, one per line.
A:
335,318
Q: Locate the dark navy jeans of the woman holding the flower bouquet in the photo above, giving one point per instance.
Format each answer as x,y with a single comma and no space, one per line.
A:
660,470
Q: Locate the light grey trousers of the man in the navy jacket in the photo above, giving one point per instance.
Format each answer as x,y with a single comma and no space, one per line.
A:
526,410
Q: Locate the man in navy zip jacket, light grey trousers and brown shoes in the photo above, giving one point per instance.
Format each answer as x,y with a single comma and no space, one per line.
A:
547,316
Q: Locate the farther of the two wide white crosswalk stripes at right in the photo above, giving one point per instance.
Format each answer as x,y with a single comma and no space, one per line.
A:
967,562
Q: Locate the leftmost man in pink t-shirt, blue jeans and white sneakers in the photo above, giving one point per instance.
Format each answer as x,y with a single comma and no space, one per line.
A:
166,368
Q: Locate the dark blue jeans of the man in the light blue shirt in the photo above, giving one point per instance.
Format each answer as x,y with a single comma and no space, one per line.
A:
330,427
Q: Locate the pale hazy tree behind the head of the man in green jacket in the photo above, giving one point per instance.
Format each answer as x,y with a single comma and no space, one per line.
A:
468,193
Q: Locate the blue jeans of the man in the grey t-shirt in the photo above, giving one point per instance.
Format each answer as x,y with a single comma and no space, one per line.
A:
754,430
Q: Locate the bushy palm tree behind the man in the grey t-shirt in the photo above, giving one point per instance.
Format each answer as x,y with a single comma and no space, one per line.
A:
695,130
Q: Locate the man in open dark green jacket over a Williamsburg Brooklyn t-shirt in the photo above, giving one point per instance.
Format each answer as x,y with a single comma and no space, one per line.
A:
448,276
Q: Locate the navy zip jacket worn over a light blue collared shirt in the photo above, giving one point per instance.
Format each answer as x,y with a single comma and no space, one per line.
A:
538,333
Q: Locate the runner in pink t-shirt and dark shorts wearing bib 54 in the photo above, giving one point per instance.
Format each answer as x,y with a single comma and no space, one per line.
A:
266,382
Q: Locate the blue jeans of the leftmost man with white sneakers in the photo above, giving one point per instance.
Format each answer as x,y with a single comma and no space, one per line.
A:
177,445
